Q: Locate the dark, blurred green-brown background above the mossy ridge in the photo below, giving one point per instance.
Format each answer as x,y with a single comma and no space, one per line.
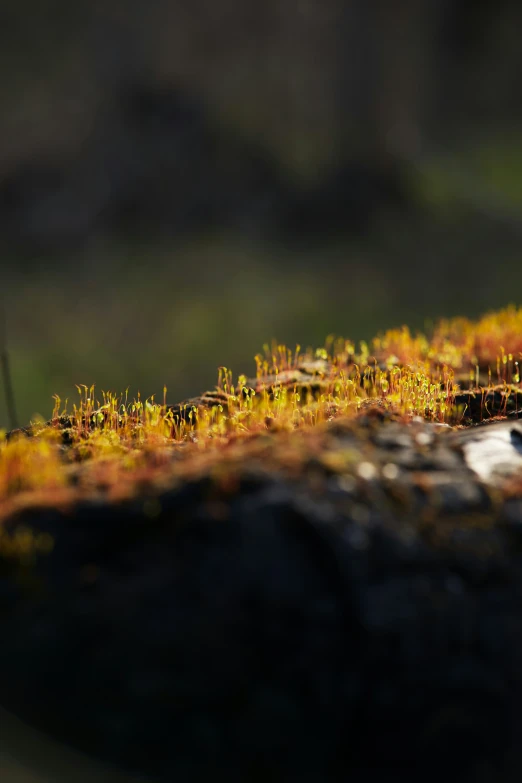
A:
182,182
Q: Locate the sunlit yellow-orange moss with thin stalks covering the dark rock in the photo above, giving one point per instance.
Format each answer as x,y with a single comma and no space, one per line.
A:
460,374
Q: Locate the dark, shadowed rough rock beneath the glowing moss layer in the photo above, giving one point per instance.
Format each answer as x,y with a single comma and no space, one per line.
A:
338,605
